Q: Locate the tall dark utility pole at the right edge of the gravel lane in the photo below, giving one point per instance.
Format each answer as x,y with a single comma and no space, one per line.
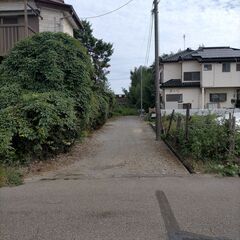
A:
157,73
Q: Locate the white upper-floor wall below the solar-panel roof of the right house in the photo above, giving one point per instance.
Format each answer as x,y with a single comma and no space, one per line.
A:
217,78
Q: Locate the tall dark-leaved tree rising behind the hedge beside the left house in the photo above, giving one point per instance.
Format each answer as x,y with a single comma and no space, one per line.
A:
99,51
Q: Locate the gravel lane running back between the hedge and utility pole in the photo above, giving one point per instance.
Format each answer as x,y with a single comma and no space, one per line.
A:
125,146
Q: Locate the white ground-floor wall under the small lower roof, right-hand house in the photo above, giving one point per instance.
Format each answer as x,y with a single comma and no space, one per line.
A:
190,95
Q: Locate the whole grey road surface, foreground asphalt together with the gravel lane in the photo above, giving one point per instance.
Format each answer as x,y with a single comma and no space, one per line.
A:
123,186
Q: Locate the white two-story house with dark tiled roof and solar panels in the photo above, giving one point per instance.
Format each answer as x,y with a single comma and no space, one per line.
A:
205,78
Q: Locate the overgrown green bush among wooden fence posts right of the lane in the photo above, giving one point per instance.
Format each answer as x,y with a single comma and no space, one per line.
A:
208,140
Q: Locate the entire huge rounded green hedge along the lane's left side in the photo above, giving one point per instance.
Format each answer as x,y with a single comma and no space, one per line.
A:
47,97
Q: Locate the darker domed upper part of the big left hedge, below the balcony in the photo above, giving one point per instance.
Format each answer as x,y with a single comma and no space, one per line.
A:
51,62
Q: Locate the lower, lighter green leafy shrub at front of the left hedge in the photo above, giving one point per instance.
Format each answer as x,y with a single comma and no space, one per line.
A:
41,124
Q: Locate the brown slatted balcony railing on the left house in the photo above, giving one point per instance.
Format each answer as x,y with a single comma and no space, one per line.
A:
10,35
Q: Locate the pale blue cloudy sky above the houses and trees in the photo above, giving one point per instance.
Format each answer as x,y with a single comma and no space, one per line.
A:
208,22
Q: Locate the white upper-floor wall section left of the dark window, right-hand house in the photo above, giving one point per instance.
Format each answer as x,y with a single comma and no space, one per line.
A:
171,71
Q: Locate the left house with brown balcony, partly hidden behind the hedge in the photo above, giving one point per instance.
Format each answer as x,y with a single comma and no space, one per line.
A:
36,16
